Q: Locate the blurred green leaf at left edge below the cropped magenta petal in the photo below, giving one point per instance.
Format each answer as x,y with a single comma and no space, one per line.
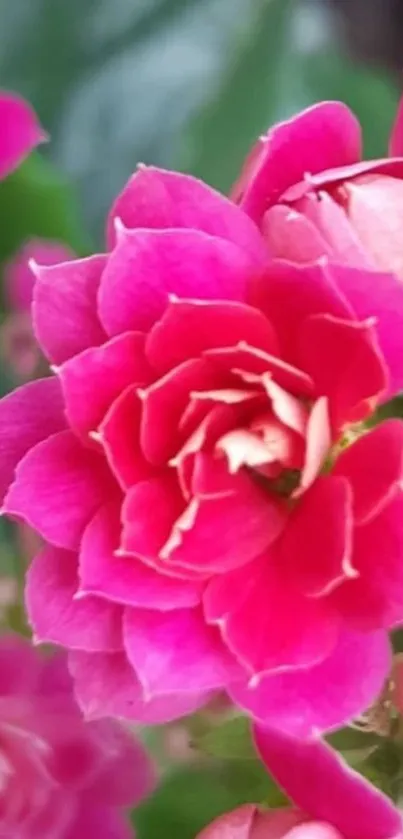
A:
36,201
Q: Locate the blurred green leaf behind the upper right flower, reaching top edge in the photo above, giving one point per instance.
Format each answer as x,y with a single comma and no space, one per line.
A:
278,69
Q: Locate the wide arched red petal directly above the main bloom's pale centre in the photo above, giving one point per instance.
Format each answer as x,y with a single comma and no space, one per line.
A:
188,327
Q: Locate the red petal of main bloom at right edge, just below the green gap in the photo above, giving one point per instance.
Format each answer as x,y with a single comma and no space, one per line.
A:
374,468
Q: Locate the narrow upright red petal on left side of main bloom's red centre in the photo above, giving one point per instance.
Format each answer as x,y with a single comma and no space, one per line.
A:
119,434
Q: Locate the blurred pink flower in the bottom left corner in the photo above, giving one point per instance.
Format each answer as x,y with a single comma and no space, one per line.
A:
61,778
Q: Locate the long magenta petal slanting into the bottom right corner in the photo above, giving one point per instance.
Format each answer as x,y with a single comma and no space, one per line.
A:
318,780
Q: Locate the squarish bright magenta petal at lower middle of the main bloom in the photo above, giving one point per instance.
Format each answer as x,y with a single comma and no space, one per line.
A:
176,651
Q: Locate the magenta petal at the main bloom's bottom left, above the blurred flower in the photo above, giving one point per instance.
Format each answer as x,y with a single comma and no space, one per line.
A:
106,686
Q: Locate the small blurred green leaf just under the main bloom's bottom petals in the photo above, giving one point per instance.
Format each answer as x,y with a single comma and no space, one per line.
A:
230,740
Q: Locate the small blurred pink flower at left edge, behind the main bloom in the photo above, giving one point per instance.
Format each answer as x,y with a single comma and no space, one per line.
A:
19,348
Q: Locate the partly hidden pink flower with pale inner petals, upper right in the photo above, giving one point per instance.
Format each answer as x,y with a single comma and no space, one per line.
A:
306,187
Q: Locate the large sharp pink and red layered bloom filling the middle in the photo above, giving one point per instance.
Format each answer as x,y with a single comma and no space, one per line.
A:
215,518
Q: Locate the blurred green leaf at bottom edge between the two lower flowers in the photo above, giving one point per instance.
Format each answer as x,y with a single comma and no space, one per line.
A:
191,797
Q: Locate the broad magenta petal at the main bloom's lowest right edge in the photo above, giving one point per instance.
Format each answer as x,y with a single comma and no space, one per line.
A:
305,703
